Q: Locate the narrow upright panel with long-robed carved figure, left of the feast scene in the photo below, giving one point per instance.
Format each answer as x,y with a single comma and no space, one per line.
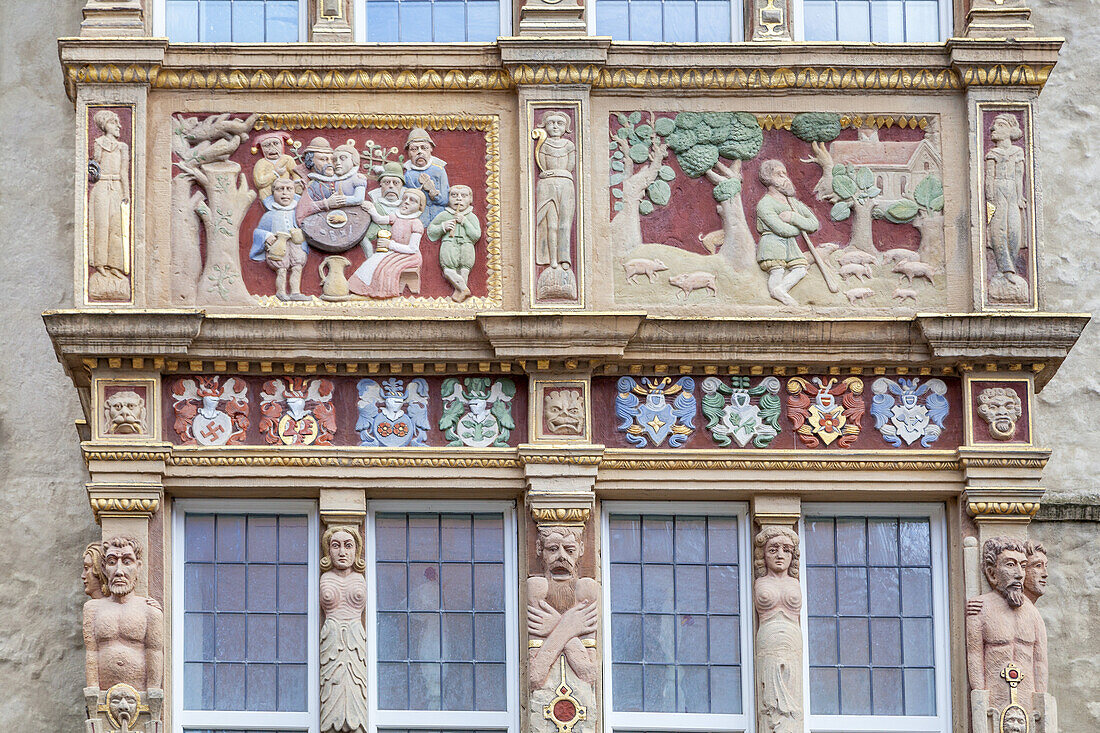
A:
108,226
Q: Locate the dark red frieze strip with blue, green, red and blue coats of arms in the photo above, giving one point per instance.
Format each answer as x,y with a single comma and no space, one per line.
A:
762,413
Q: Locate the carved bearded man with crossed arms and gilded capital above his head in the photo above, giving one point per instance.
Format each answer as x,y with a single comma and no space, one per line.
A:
563,619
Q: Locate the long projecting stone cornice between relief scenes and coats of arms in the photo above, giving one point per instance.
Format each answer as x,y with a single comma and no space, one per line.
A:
586,340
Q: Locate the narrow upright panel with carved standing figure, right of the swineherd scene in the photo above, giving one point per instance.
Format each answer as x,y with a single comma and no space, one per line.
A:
1008,222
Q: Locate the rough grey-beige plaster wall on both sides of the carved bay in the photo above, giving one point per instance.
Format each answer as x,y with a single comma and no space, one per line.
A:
45,519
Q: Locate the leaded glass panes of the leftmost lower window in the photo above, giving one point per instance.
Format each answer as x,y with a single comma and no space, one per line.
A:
246,619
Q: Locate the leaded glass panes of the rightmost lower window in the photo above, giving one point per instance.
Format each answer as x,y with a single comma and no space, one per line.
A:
870,581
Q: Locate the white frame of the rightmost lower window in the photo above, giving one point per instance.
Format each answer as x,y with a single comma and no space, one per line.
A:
941,623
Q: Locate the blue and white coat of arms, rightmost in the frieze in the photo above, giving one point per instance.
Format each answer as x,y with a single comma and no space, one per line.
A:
907,410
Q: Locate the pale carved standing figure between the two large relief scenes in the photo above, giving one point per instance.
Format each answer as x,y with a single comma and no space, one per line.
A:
555,196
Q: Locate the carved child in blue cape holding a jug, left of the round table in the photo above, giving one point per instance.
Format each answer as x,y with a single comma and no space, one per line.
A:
279,240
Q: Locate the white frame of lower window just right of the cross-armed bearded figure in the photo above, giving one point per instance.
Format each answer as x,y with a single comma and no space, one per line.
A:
677,721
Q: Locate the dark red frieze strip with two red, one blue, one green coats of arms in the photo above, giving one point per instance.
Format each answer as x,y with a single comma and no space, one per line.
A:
376,412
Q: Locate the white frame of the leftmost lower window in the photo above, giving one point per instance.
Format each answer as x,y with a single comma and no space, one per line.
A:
309,721
